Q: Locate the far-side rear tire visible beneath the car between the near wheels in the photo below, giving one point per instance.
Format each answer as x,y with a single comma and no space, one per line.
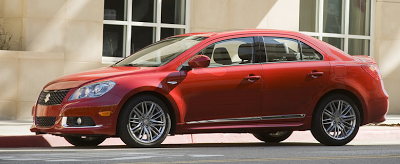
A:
273,137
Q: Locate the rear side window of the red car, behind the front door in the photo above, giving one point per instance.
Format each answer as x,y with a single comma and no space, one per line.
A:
280,49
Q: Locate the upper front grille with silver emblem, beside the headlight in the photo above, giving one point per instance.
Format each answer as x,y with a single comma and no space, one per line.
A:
52,97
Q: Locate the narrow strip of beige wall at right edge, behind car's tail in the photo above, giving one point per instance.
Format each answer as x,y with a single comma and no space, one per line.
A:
387,48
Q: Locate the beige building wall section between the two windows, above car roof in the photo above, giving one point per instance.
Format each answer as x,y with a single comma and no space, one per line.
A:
214,15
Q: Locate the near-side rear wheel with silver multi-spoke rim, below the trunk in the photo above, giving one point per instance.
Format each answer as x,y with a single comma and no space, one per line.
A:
336,120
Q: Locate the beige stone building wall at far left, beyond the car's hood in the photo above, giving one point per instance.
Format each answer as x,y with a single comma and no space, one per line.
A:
58,37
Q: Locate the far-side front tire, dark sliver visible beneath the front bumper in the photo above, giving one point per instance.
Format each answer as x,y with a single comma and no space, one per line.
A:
85,141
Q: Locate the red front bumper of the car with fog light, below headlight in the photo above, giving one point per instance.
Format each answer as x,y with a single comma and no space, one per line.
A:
88,108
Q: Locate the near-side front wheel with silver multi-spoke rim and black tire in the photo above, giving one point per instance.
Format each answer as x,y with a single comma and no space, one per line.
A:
144,122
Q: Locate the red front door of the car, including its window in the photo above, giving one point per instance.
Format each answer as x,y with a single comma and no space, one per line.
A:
229,89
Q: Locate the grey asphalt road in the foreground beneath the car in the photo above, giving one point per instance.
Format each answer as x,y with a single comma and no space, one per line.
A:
286,152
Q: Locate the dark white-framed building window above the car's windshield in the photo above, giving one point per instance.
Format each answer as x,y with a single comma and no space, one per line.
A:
130,25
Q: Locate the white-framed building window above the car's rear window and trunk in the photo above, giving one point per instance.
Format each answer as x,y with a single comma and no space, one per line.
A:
345,24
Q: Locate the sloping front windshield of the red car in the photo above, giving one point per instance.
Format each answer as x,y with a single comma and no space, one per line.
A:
160,53
